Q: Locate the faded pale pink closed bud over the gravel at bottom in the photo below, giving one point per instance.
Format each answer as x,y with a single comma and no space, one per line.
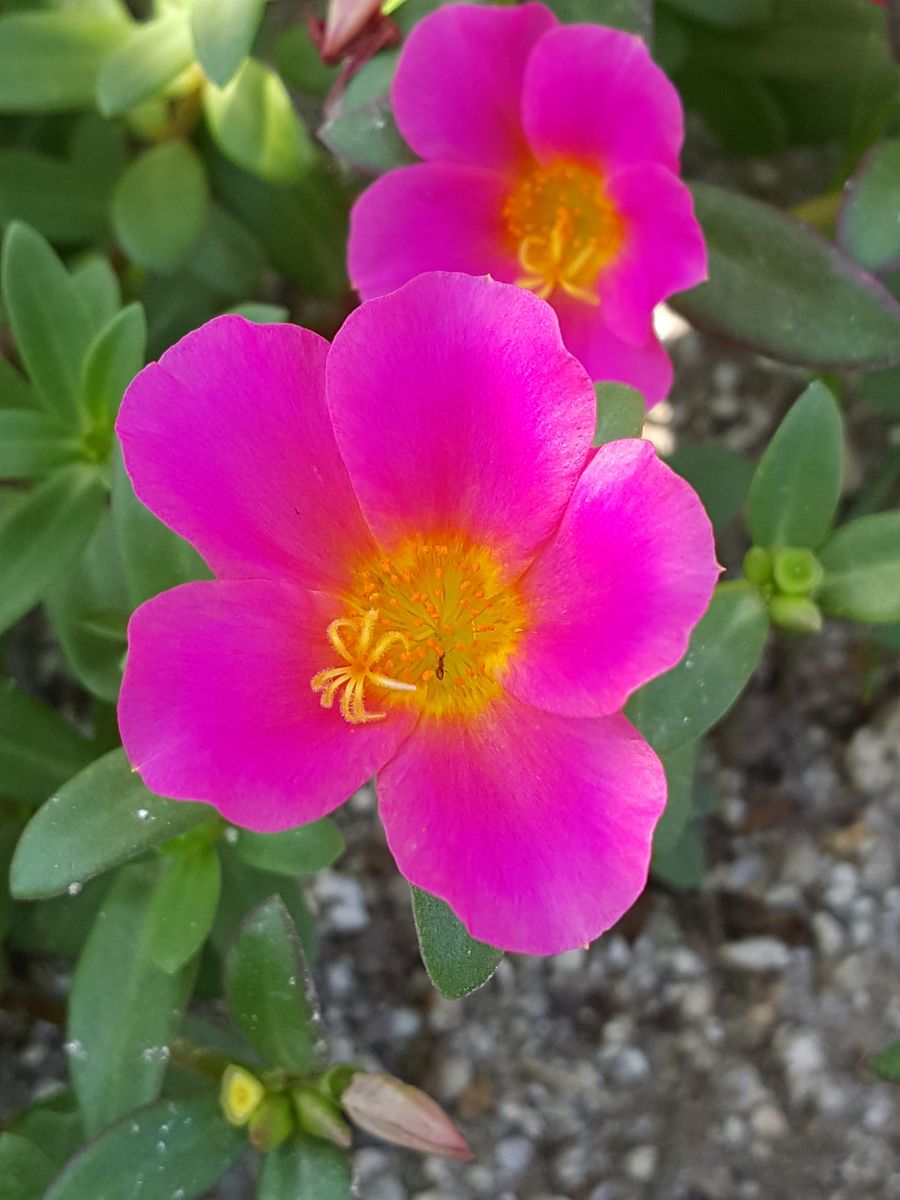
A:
398,1113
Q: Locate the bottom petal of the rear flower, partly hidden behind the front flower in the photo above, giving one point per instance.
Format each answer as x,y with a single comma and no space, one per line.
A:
609,358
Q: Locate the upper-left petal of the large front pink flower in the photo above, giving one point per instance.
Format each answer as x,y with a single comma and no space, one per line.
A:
229,441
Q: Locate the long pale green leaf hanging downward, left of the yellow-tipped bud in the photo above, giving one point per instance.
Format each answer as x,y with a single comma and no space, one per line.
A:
124,1010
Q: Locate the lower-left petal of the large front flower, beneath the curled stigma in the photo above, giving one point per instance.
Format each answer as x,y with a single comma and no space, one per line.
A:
217,705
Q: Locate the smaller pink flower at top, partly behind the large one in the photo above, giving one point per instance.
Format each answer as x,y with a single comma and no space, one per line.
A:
550,155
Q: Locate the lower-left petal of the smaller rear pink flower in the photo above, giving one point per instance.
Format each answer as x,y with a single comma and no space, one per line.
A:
429,218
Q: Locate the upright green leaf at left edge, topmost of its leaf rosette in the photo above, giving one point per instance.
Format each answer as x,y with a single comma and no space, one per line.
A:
50,323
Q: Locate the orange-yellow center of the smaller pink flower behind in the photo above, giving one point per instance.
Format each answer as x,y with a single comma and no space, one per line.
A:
563,227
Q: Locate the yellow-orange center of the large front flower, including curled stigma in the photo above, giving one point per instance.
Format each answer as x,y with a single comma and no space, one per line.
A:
430,626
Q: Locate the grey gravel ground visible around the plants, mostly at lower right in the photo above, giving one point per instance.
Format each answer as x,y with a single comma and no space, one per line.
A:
715,1047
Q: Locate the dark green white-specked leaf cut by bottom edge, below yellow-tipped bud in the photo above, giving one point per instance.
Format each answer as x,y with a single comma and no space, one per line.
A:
127,1163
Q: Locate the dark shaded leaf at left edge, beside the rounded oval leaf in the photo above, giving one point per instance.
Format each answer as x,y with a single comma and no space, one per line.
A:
56,196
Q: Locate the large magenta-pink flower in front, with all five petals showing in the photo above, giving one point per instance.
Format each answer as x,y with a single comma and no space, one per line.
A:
422,573
